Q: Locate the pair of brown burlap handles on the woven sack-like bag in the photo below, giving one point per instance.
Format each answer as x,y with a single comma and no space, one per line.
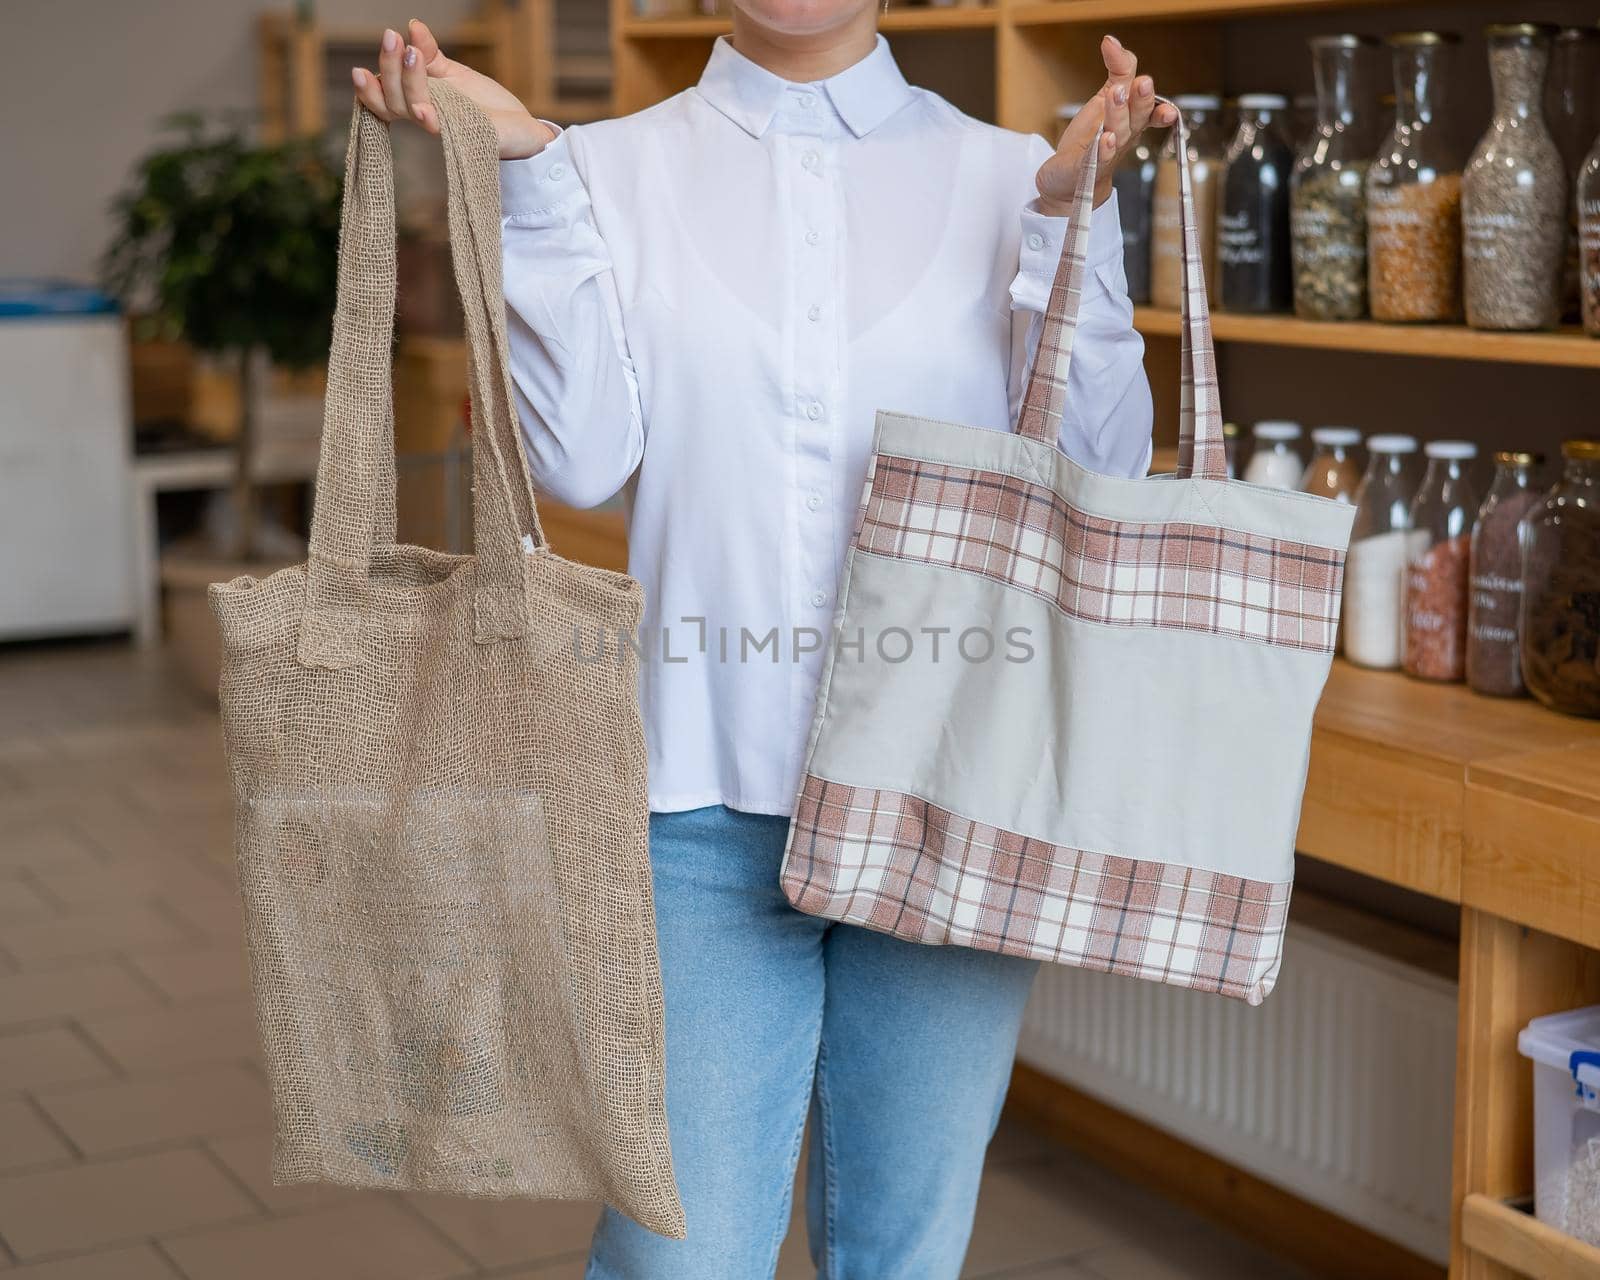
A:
356,473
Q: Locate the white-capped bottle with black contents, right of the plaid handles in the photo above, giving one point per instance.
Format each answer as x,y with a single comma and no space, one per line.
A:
1254,210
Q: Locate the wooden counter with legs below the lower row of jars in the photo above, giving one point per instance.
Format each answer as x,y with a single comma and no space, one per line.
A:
1495,806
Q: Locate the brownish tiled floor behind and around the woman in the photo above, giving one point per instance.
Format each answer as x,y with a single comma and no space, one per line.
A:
134,1113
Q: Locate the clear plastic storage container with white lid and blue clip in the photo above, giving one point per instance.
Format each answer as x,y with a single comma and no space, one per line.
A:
1566,1054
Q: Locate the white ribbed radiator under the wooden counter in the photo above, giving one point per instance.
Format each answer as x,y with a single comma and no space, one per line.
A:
1337,1089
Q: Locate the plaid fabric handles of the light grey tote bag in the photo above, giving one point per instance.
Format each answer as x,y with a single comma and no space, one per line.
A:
1201,450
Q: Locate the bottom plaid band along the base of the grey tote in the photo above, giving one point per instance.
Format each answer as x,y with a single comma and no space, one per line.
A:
898,865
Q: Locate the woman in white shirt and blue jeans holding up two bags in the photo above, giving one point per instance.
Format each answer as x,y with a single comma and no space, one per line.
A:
708,302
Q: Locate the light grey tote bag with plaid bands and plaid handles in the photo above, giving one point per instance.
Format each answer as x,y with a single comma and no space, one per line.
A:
1103,762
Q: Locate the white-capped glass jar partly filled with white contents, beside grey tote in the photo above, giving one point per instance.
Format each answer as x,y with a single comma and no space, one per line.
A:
1375,564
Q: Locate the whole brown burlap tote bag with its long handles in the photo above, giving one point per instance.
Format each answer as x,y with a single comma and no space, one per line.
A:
442,825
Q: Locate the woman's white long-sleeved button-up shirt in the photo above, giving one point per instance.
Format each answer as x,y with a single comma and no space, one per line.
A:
710,302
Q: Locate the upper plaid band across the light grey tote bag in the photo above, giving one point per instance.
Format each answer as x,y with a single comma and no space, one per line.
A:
1138,575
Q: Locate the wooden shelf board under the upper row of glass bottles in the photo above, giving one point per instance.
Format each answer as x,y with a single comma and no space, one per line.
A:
1567,348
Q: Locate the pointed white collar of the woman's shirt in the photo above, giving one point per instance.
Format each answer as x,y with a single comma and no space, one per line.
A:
866,94
